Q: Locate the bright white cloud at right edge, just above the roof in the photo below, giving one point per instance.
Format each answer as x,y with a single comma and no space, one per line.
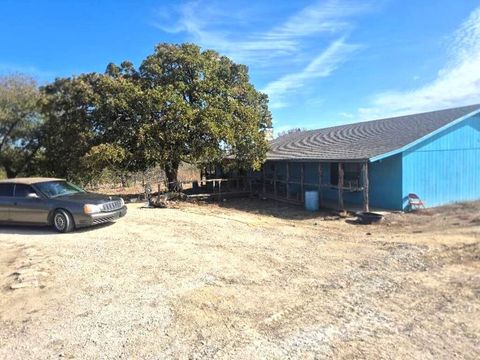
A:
456,84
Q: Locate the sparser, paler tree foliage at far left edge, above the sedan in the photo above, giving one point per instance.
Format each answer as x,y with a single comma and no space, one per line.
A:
20,124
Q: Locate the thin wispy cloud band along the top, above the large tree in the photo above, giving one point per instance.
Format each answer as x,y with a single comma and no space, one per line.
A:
207,25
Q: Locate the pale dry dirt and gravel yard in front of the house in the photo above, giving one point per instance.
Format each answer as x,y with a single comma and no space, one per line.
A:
245,280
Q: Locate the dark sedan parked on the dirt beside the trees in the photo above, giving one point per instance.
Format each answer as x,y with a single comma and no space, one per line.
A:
55,202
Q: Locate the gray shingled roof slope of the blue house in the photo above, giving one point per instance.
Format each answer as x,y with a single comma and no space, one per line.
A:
362,140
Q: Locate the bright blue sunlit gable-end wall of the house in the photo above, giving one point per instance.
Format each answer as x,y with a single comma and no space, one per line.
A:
446,167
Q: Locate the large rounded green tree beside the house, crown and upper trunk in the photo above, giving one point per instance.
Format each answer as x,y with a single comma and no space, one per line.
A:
205,109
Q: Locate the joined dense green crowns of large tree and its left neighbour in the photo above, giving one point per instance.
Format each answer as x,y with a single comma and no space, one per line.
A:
181,105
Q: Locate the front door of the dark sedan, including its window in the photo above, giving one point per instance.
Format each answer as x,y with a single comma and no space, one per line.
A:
29,209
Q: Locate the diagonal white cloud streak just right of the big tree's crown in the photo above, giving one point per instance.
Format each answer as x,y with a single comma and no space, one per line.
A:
321,66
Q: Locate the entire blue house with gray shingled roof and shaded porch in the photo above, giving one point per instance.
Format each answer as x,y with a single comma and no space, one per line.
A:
435,155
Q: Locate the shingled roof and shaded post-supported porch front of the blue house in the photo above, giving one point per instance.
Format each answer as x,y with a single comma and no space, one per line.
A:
364,158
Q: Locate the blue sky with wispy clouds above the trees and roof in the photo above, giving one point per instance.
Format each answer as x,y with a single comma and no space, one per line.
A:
322,63
